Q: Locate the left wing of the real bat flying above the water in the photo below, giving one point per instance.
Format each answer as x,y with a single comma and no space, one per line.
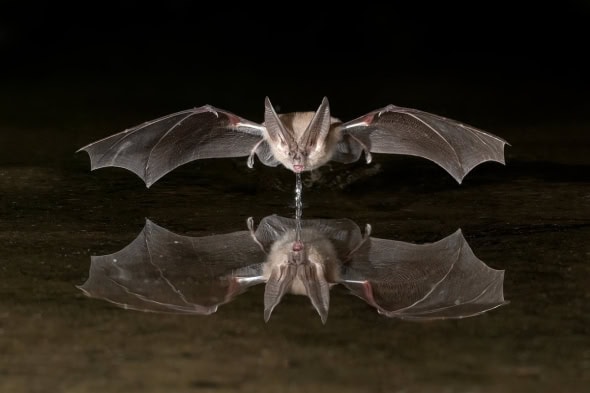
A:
156,147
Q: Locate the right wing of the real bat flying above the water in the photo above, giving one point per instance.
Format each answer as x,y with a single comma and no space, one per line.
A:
455,146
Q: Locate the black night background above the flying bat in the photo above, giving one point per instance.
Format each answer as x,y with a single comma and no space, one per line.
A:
83,71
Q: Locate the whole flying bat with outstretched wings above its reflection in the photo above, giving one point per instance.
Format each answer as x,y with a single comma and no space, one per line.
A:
300,141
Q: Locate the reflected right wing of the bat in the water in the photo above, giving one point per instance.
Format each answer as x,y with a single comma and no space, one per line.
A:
430,281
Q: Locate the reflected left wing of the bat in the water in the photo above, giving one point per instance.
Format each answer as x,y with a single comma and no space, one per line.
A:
161,271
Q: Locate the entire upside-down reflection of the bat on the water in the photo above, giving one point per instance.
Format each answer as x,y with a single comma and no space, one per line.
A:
164,272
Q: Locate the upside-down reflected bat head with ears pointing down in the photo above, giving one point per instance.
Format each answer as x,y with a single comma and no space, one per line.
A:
296,273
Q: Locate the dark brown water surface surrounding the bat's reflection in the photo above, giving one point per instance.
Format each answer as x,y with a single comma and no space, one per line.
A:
530,218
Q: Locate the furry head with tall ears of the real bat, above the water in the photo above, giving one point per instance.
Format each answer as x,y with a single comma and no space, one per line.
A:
298,140
